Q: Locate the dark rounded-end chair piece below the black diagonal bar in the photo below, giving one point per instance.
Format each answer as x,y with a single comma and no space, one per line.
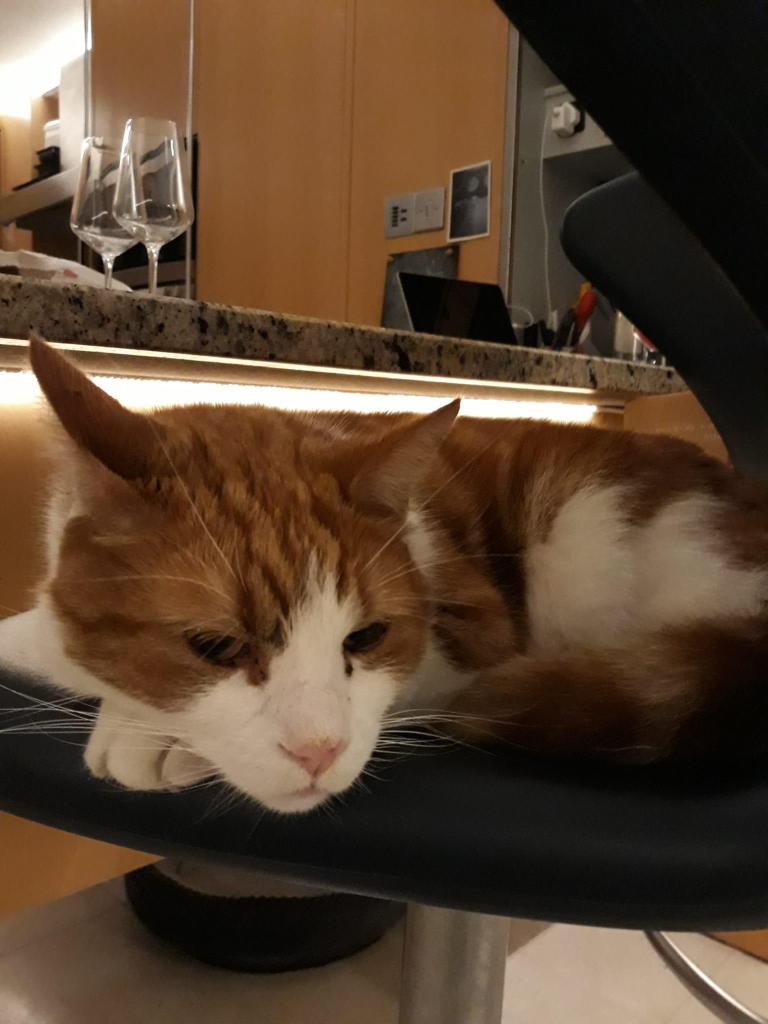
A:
629,243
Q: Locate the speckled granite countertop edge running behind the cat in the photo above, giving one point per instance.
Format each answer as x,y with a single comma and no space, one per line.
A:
121,320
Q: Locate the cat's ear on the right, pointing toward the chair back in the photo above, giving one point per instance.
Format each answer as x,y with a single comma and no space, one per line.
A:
392,471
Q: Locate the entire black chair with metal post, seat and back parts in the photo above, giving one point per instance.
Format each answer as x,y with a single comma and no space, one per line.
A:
467,838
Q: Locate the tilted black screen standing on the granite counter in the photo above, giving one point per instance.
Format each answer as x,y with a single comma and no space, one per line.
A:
457,309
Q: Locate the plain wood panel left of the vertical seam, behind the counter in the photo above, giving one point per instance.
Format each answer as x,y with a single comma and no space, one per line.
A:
272,117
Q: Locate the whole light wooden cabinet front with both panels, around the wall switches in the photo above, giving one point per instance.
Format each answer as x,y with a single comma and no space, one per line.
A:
310,115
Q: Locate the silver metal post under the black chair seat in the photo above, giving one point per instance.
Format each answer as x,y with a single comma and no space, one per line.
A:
453,968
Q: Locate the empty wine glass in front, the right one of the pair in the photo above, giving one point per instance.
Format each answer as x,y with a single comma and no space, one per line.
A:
153,200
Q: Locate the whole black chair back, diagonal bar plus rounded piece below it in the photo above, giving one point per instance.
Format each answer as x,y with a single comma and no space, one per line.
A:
682,90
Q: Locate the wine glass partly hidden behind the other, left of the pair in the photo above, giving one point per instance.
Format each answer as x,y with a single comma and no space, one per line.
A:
92,219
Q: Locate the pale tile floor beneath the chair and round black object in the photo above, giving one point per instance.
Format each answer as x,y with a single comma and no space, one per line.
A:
88,961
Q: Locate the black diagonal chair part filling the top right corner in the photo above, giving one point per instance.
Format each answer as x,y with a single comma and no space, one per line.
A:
681,88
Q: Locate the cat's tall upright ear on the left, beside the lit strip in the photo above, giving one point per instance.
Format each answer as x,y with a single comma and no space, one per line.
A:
122,441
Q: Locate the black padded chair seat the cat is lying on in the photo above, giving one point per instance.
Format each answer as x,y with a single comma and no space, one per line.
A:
662,847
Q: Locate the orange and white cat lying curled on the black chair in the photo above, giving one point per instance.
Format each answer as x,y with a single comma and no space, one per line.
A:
258,593
